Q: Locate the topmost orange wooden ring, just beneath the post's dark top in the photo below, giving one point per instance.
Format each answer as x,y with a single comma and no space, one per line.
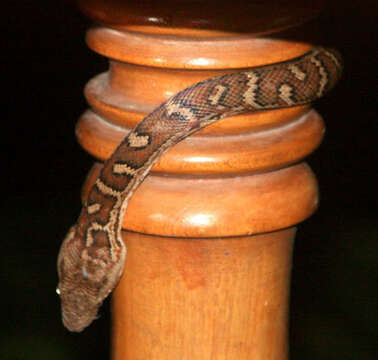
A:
195,53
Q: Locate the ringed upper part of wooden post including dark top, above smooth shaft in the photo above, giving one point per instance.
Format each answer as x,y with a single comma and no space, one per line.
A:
150,60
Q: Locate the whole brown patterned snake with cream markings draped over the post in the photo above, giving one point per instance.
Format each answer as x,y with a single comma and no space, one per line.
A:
92,256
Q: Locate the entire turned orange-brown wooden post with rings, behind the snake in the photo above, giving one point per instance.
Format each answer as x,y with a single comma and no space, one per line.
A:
210,231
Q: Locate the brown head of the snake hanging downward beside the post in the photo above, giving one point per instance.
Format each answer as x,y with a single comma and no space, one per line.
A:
86,277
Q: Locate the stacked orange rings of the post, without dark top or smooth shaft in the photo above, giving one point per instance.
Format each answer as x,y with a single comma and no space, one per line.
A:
241,145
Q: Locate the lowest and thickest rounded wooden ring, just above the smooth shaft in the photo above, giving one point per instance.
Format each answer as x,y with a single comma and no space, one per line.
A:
226,206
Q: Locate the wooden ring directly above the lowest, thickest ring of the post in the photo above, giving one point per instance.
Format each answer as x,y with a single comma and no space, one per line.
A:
232,154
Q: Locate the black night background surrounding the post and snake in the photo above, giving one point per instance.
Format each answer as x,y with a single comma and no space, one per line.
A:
45,64
